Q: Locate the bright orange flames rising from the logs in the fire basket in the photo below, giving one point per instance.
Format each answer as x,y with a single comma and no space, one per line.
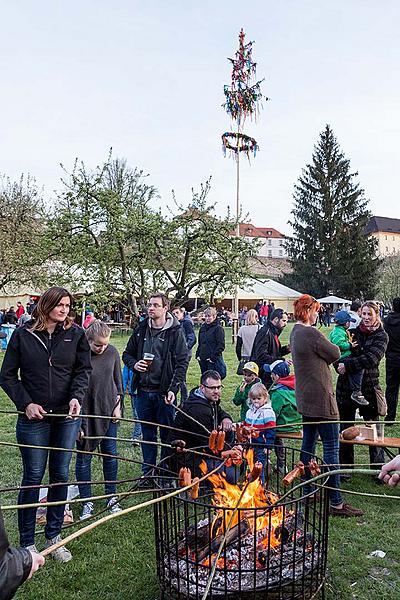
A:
227,495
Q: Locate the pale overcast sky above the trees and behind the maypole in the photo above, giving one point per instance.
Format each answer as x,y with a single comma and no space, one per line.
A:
147,79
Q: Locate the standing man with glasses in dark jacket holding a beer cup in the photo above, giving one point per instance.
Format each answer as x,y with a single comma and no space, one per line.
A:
156,380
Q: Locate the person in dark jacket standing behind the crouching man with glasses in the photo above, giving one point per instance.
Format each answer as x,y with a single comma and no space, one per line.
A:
211,344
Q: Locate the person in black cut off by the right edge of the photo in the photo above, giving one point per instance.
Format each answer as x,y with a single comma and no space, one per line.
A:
392,328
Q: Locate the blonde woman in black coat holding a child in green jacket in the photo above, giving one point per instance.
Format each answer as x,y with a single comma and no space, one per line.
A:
372,342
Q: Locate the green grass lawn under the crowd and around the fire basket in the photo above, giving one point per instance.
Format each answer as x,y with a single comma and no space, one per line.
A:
117,560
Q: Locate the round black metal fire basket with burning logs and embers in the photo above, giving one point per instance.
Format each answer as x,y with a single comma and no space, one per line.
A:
260,549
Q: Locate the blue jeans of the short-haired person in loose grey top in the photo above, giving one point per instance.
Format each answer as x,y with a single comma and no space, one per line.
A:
83,467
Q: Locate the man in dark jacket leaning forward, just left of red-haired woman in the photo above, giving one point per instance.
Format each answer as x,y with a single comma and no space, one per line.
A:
267,347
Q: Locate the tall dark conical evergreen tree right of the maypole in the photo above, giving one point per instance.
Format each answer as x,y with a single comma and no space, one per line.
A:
329,251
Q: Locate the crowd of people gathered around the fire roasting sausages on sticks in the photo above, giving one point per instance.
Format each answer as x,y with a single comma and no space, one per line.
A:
54,371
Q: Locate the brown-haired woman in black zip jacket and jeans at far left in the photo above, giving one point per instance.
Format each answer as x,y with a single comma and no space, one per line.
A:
46,370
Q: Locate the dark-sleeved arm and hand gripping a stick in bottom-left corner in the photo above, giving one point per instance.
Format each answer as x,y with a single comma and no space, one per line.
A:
16,565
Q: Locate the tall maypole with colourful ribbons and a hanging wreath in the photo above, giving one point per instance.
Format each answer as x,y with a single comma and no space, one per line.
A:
242,100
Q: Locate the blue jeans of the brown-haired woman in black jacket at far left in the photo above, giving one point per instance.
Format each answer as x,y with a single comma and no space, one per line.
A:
58,433
